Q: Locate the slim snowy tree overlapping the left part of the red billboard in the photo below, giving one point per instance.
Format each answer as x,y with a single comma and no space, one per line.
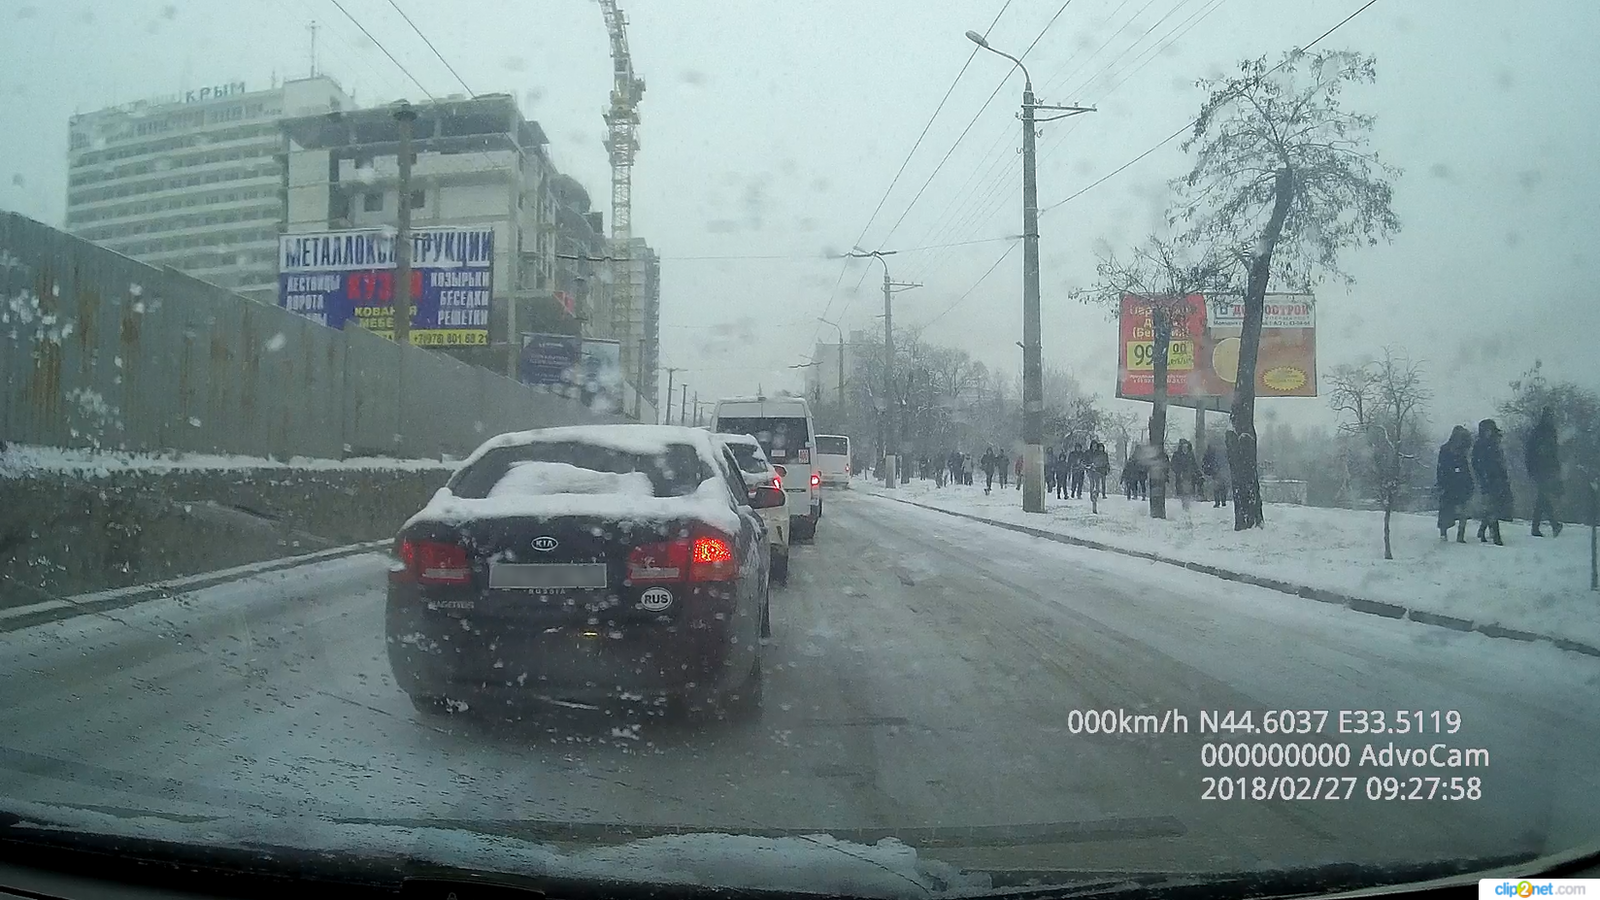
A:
1164,275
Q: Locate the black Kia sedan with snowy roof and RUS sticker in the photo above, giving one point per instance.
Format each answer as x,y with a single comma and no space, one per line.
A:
585,565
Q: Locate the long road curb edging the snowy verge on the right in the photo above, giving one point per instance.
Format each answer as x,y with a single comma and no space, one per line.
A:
1321,595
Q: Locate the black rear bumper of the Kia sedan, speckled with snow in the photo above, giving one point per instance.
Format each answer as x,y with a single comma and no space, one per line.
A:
438,653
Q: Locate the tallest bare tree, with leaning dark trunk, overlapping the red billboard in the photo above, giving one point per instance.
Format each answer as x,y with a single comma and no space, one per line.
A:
1284,174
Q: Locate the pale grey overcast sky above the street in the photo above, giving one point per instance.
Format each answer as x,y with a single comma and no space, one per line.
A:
772,132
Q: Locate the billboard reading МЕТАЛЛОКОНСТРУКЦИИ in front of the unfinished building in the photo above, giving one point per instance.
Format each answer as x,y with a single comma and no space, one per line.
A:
338,276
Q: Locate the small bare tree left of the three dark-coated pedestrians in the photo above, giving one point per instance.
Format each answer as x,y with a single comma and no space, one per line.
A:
1385,403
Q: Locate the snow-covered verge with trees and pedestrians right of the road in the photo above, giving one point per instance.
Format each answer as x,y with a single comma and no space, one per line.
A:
1537,585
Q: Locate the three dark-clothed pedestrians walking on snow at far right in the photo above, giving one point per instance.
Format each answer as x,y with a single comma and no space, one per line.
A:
1478,468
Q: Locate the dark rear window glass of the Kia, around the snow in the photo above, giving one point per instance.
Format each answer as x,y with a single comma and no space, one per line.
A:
678,472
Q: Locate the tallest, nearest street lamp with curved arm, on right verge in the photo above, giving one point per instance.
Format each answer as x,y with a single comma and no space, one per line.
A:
1033,358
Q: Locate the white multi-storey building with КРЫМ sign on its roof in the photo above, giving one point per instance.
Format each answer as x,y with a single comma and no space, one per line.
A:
193,182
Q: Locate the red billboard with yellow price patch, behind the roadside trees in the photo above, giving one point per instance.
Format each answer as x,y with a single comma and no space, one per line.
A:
1204,355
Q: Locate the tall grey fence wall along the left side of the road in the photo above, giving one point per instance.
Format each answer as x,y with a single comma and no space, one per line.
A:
102,352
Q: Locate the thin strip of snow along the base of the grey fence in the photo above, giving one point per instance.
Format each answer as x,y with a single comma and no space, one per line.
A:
23,459
